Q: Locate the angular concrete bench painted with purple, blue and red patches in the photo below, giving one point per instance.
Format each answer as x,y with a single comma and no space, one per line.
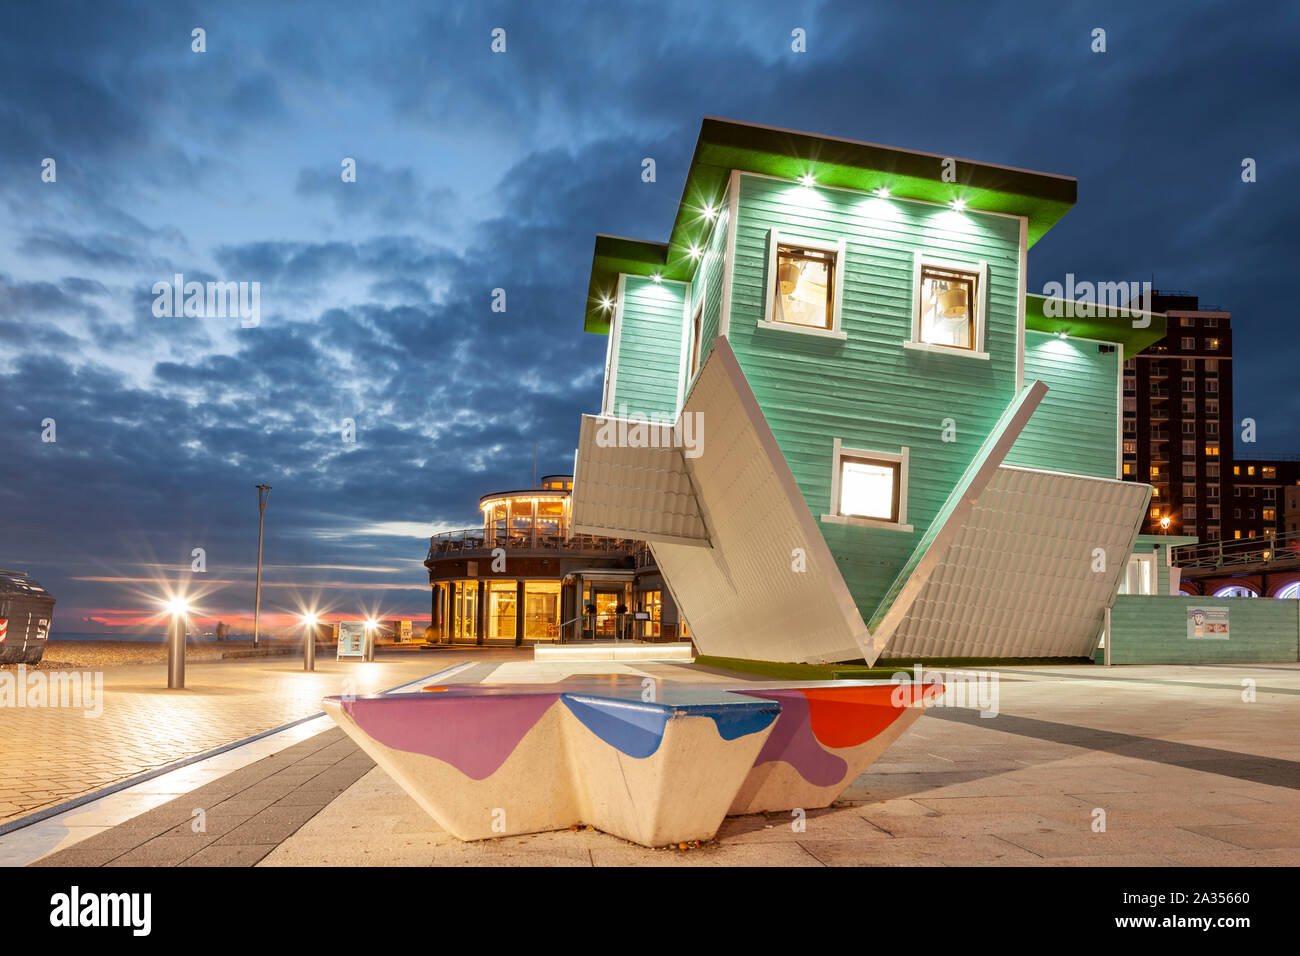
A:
495,760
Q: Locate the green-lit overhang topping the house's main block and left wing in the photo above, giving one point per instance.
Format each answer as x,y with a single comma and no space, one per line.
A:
725,145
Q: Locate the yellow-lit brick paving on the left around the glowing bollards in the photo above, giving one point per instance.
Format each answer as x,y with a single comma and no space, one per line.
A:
55,754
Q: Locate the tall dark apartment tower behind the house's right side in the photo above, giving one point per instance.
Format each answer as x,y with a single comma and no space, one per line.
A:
1178,419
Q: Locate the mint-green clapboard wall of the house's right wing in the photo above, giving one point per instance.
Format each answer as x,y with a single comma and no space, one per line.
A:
1077,427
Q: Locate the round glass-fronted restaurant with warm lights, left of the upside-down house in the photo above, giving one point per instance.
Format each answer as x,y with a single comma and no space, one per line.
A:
526,578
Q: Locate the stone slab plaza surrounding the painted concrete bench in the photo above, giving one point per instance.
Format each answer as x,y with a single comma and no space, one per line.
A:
1172,765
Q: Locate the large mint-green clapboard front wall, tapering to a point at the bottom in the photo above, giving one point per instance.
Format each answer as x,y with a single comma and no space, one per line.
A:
869,391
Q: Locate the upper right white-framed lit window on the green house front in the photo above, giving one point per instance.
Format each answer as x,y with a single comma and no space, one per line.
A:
948,312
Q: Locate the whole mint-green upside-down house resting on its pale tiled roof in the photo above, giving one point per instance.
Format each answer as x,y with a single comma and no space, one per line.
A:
842,422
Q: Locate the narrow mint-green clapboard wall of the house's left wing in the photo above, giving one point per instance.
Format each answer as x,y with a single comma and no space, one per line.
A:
649,343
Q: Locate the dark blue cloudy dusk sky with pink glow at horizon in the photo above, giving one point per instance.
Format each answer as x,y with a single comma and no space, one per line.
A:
480,171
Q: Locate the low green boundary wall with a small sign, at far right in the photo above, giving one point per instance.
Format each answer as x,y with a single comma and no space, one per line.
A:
1154,630
